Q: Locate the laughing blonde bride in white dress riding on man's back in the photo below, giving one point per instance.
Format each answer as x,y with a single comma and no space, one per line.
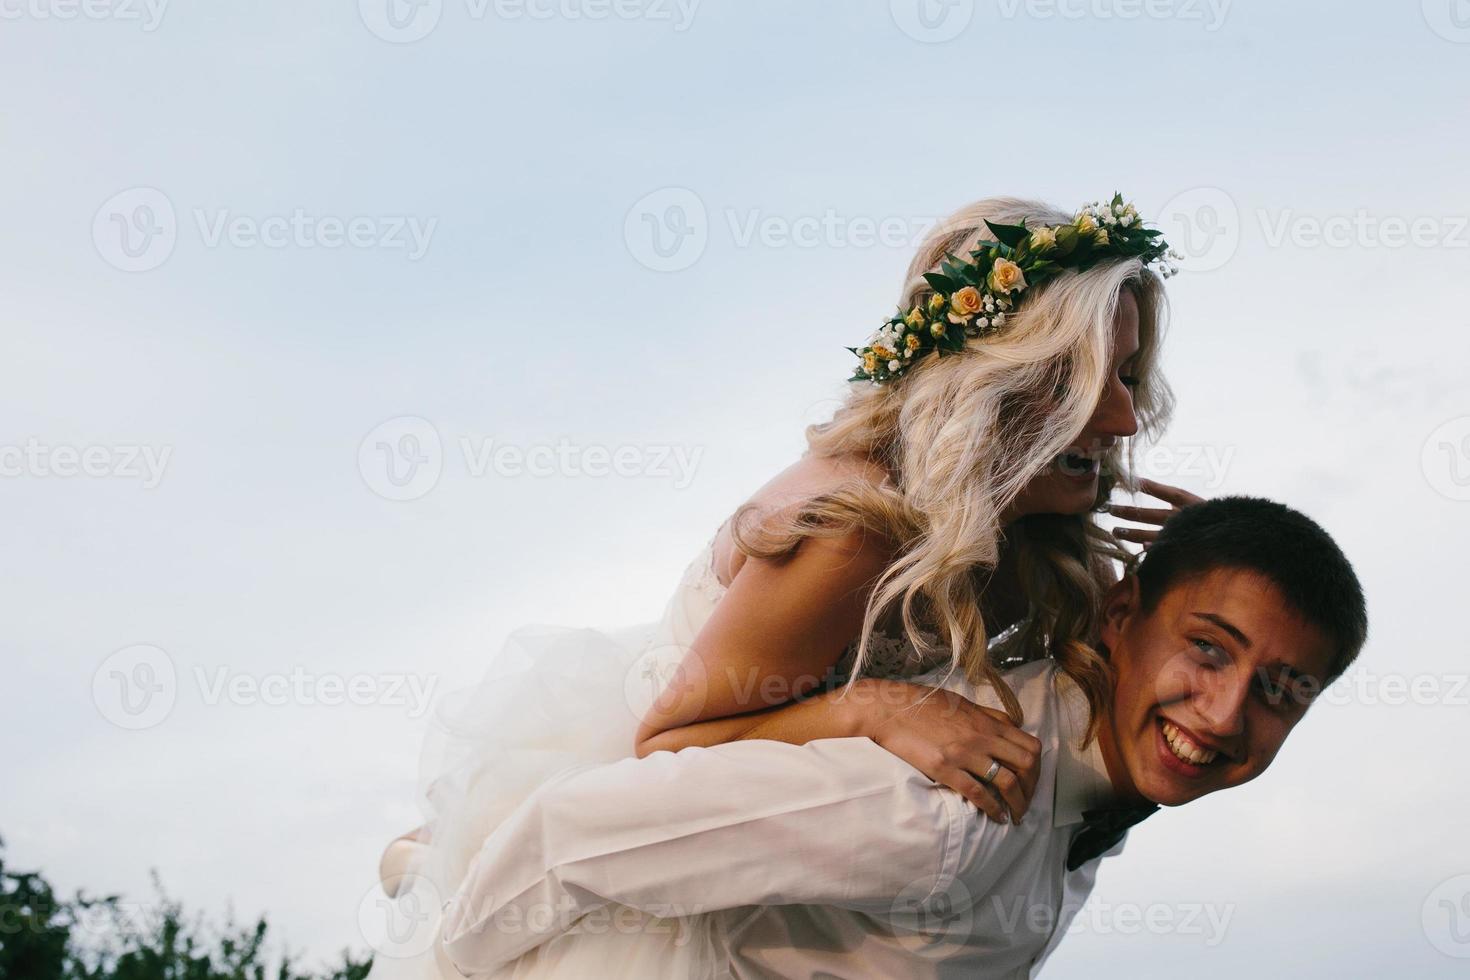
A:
952,496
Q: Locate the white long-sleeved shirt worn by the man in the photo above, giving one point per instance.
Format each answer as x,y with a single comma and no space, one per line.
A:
833,859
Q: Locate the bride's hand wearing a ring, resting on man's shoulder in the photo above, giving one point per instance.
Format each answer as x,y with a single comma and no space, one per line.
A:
953,741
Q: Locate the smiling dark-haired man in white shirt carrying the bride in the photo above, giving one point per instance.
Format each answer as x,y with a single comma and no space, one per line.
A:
839,859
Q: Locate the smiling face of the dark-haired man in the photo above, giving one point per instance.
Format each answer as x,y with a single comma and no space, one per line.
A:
1209,684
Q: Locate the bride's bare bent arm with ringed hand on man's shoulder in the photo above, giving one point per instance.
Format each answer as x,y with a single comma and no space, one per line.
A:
774,638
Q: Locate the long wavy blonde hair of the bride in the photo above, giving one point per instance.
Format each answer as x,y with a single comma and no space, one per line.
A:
961,436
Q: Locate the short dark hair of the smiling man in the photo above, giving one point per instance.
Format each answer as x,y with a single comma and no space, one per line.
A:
1275,541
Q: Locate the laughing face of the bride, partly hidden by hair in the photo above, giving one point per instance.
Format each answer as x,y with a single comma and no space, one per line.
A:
1071,483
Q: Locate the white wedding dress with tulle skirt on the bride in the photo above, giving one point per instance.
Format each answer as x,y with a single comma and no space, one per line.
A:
553,699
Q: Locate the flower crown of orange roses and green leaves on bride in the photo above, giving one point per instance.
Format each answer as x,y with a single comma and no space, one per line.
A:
974,299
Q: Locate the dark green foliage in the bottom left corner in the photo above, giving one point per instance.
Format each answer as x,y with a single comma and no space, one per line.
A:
43,938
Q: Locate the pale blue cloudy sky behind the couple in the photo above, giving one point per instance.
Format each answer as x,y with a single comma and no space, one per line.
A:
345,339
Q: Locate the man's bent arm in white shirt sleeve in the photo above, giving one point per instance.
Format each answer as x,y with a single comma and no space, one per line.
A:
837,822
